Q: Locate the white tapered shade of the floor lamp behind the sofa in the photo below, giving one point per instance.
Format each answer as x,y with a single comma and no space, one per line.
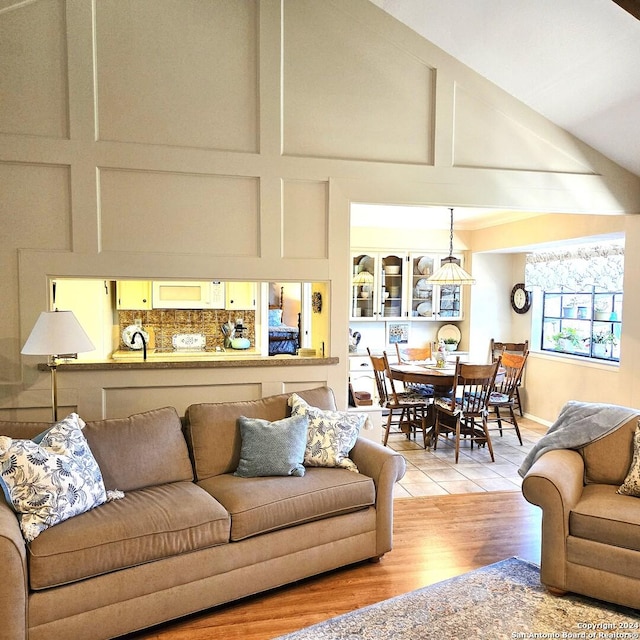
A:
57,333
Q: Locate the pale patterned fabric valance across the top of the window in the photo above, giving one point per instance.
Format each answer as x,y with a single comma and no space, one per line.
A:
578,269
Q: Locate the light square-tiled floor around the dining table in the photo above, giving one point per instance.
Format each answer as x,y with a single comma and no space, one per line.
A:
431,473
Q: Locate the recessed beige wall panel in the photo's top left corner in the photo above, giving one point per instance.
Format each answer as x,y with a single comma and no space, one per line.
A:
33,78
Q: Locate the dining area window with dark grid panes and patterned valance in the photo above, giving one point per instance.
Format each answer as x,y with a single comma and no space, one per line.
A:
582,295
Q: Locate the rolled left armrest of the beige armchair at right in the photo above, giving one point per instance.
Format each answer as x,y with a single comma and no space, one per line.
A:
555,483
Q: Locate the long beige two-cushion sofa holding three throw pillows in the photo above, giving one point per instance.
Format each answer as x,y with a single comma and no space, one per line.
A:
188,534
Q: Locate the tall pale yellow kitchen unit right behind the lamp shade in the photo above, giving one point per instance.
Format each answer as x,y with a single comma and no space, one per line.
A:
91,303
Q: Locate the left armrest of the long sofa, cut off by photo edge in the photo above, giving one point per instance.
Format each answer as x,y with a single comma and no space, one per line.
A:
14,582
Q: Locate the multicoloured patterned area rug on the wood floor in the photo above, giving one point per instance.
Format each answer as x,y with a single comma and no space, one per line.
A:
502,600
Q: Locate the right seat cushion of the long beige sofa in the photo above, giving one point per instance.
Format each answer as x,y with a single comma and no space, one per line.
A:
259,505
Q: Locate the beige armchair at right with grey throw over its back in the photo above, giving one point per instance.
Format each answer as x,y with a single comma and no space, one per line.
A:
590,533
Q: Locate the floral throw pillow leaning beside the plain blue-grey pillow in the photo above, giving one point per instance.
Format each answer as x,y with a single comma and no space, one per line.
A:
332,434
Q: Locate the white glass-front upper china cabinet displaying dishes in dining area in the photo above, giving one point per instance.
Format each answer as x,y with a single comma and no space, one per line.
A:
388,286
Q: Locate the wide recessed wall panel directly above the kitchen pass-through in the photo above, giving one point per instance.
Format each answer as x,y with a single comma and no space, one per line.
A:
157,212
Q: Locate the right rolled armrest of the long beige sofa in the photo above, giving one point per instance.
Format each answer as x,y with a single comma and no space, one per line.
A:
386,467
